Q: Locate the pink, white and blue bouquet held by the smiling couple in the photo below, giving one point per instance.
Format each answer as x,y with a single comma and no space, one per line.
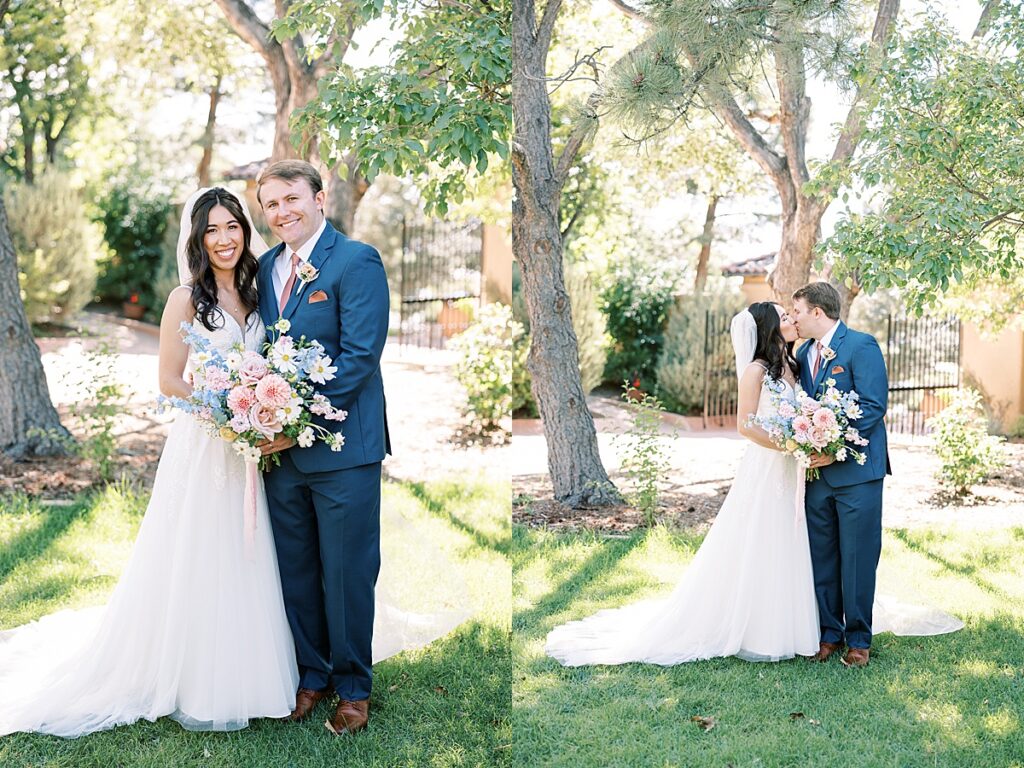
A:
247,398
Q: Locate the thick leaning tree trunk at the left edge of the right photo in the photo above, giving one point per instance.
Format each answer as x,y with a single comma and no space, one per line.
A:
574,462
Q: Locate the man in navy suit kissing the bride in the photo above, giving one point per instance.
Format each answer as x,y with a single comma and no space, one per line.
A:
844,505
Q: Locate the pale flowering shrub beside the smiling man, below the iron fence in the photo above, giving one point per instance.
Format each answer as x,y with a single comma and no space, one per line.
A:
485,368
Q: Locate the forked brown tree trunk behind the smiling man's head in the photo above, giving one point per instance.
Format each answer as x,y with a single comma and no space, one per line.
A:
294,81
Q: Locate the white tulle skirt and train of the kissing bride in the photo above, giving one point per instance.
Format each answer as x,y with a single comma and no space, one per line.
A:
748,592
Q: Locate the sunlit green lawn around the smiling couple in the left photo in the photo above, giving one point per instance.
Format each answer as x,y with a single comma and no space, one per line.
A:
448,705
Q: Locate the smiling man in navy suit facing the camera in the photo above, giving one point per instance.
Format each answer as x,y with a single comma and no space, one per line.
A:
325,505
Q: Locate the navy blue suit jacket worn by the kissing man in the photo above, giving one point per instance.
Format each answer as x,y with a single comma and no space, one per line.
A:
859,365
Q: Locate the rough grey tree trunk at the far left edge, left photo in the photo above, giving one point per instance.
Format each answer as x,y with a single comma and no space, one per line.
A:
26,405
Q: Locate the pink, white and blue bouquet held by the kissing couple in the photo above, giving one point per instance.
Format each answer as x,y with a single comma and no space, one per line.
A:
815,425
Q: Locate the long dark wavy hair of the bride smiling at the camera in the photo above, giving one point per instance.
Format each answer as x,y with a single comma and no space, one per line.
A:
204,284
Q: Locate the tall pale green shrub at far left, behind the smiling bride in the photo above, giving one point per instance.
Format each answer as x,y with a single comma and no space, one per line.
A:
56,244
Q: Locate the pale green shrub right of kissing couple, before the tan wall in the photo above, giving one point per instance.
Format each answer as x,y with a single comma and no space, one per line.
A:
961,440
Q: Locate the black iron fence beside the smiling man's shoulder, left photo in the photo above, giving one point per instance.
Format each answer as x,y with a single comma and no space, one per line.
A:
442,280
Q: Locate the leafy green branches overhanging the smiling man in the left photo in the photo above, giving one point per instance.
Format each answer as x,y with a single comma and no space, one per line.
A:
441,106
